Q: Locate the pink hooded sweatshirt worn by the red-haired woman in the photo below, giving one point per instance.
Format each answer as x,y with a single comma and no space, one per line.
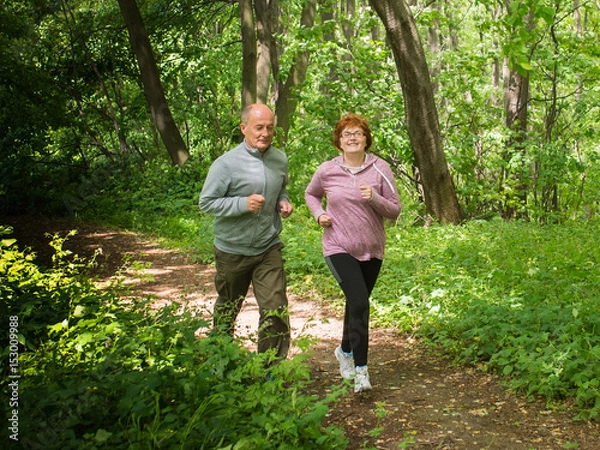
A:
357,225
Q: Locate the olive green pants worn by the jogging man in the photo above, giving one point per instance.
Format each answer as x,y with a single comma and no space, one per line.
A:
266,273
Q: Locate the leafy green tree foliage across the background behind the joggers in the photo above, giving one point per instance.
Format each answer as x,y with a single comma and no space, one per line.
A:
79,114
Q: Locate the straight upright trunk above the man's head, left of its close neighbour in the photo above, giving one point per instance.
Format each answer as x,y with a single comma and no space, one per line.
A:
249,57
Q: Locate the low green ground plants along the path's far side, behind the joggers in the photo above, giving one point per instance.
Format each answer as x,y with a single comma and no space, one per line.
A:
516,298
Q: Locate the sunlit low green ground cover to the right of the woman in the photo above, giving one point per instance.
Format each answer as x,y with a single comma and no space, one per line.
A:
515,298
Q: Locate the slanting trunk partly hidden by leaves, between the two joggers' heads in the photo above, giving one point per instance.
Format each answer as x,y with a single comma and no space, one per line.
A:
286,100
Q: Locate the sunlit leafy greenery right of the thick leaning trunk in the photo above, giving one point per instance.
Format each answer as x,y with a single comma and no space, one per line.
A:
553,177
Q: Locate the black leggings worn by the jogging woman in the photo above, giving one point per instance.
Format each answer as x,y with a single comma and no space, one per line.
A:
357,279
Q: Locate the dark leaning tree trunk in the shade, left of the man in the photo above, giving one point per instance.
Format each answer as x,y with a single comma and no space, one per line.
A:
153,89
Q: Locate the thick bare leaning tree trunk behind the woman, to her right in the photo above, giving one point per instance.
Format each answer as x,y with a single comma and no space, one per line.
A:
421,113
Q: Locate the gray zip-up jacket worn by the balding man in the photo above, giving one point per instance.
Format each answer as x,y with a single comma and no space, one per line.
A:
232,178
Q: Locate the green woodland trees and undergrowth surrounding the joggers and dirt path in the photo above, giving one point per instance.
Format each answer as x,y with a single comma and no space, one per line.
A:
488,112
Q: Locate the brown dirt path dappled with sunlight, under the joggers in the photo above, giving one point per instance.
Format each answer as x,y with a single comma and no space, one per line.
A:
419,400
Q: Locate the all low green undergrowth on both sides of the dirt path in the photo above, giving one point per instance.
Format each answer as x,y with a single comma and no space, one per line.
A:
519,299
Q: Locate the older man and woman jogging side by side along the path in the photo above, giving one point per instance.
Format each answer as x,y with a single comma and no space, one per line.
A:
246,192
